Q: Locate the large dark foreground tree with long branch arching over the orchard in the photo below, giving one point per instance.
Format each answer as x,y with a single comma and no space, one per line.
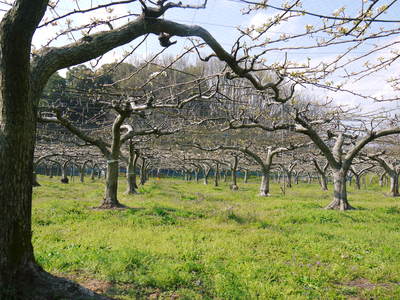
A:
23,79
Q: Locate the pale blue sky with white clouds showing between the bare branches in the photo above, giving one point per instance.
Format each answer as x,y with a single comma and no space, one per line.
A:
222,17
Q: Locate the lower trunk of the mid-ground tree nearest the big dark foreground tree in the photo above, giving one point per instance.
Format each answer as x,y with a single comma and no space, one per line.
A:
110,197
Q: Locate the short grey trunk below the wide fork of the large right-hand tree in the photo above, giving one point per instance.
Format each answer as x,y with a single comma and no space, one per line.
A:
339,191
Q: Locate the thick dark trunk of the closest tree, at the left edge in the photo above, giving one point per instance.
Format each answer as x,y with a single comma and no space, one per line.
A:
20,277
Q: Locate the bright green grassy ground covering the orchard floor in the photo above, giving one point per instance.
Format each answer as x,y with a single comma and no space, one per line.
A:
185,240
